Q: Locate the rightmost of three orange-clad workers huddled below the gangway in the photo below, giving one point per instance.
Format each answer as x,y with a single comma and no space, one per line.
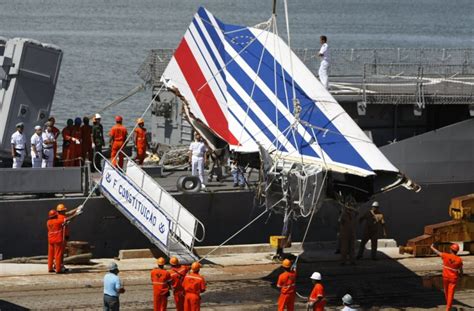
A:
193,284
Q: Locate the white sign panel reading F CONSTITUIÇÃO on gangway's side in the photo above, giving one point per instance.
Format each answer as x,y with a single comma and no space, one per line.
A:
135,204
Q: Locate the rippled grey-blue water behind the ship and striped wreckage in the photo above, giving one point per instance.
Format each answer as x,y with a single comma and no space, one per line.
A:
105,41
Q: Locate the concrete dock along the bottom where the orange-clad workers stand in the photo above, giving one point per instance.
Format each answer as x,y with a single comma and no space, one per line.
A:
245,281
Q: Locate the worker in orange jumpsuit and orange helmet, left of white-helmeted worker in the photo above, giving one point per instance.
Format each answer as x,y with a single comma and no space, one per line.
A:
287,284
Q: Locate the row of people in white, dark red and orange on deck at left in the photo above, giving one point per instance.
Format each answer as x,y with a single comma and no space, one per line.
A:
80,142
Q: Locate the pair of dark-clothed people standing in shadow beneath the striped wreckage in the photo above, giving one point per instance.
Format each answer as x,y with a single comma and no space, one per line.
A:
374,224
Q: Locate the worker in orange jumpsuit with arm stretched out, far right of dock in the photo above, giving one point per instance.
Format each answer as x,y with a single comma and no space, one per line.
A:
452,269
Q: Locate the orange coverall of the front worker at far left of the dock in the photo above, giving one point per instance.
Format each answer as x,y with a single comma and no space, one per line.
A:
55,243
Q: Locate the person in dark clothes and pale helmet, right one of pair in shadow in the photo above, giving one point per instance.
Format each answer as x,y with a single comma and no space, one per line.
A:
373,220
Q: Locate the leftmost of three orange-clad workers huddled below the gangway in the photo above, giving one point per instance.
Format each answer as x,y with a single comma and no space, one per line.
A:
161,281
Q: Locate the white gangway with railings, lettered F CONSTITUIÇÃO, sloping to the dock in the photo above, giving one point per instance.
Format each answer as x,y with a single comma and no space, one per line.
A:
150,208
